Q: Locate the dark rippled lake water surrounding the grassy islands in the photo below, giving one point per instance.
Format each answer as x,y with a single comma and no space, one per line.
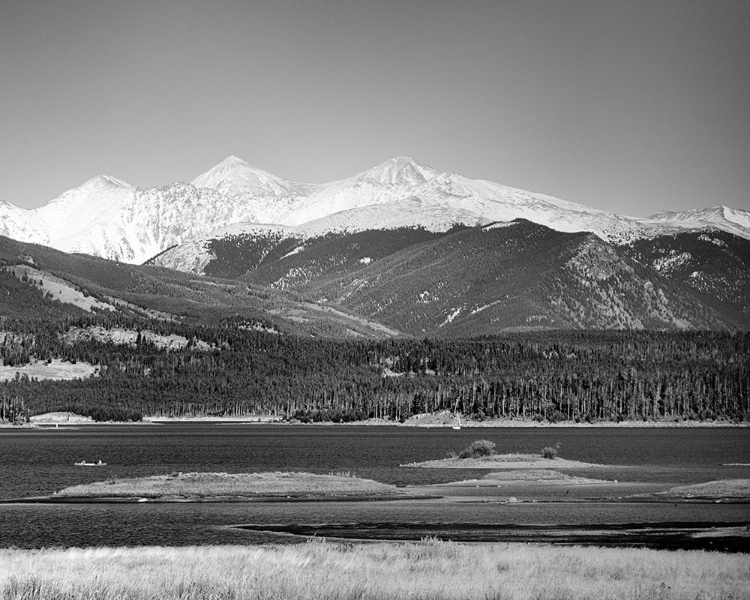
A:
39,462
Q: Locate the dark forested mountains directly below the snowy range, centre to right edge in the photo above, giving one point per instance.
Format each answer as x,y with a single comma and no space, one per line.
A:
471,281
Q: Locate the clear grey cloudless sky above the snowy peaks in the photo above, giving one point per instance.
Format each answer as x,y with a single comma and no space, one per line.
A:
628,106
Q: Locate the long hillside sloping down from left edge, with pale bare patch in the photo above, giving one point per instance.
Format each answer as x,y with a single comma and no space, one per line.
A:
148,292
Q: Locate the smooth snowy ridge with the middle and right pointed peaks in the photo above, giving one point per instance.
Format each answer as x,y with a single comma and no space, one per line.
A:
404,192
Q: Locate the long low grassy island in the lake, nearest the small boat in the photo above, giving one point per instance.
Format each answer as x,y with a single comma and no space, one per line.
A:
217,485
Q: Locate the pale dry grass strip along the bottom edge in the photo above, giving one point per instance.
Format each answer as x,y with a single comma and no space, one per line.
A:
319,570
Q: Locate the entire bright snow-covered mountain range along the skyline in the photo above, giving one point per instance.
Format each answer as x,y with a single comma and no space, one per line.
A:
110,218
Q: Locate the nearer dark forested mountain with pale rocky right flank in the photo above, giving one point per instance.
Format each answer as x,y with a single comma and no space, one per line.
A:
485,280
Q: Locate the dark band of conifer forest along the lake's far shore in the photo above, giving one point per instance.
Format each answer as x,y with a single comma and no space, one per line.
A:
551,375
